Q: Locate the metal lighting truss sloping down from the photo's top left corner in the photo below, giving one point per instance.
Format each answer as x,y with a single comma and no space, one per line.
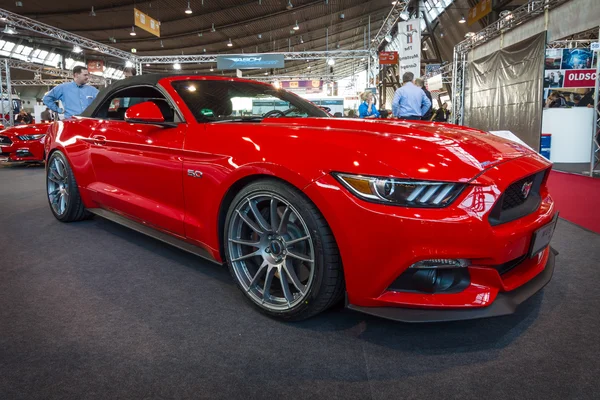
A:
19,21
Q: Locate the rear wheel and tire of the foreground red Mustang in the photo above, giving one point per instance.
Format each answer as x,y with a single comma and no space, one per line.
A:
62,191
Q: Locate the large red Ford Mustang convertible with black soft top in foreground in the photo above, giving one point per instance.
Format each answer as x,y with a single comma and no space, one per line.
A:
410,221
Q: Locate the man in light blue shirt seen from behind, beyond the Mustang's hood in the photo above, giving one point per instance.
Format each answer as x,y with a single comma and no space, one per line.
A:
410,102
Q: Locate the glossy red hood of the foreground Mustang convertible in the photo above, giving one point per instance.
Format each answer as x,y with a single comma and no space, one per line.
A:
414,149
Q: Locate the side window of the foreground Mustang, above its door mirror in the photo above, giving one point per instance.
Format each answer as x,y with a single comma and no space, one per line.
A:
115,106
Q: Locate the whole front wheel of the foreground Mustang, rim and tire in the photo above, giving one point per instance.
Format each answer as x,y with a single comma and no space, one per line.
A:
281,252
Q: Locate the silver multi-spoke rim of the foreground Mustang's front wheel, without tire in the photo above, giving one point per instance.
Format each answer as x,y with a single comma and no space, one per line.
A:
271,251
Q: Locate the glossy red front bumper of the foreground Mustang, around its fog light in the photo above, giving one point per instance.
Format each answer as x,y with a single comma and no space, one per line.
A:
378,243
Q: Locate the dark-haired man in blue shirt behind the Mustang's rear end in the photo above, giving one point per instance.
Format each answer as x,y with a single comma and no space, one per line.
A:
75,96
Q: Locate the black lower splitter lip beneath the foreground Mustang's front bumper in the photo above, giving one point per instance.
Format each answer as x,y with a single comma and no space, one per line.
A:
505,303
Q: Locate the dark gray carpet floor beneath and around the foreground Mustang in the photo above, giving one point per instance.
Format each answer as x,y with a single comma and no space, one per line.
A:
92,310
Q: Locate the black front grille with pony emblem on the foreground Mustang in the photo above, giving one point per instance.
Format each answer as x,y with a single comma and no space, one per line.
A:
519,199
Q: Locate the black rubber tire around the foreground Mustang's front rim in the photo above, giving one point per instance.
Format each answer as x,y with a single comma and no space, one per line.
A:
327,288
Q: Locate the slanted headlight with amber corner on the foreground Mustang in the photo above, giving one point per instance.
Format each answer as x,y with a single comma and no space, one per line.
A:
401,192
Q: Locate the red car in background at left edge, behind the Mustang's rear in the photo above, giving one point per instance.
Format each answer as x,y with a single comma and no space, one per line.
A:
23,143
